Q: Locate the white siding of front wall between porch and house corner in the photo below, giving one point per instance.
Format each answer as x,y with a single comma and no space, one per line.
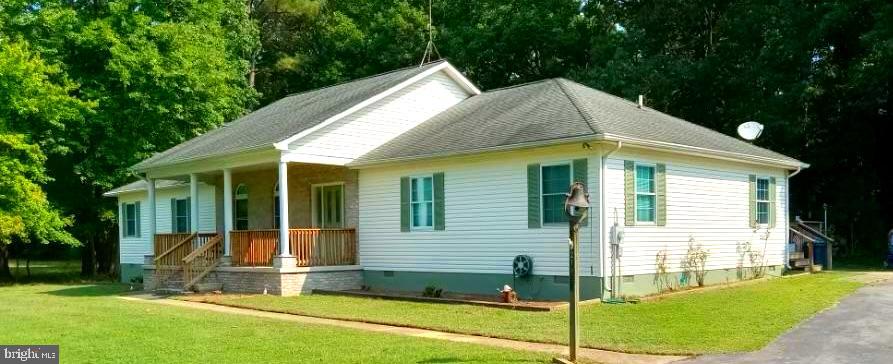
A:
486,212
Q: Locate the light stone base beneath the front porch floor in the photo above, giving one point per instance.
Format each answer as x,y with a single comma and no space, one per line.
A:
284,283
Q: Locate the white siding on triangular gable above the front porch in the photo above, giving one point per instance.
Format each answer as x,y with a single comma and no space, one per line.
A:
376,124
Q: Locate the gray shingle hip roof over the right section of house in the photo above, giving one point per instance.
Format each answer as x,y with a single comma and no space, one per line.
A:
550,110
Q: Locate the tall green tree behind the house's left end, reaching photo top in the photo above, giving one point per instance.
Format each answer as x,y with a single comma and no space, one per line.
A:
158,73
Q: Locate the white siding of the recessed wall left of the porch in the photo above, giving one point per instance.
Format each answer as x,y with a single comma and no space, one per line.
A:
132,249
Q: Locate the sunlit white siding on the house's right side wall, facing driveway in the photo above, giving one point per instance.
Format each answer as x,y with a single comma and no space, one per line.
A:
707,200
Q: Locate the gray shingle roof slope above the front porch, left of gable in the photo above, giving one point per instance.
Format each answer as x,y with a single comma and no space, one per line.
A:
282,119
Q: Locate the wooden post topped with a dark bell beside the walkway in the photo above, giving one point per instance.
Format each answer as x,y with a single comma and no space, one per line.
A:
576,206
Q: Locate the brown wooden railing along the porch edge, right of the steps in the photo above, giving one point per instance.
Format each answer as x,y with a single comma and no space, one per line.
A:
312,247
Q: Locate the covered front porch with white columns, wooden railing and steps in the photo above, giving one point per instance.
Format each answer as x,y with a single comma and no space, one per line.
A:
262,231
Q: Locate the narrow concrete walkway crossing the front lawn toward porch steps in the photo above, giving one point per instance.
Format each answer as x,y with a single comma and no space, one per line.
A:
598,356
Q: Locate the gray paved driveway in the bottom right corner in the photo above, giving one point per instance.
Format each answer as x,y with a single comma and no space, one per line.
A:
857,330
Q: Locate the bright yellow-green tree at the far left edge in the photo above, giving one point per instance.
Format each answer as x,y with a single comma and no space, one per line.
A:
35,104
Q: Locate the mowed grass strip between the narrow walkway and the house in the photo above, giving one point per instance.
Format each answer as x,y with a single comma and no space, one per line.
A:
740,318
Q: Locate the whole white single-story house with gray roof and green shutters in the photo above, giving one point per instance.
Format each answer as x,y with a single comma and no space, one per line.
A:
415,178
